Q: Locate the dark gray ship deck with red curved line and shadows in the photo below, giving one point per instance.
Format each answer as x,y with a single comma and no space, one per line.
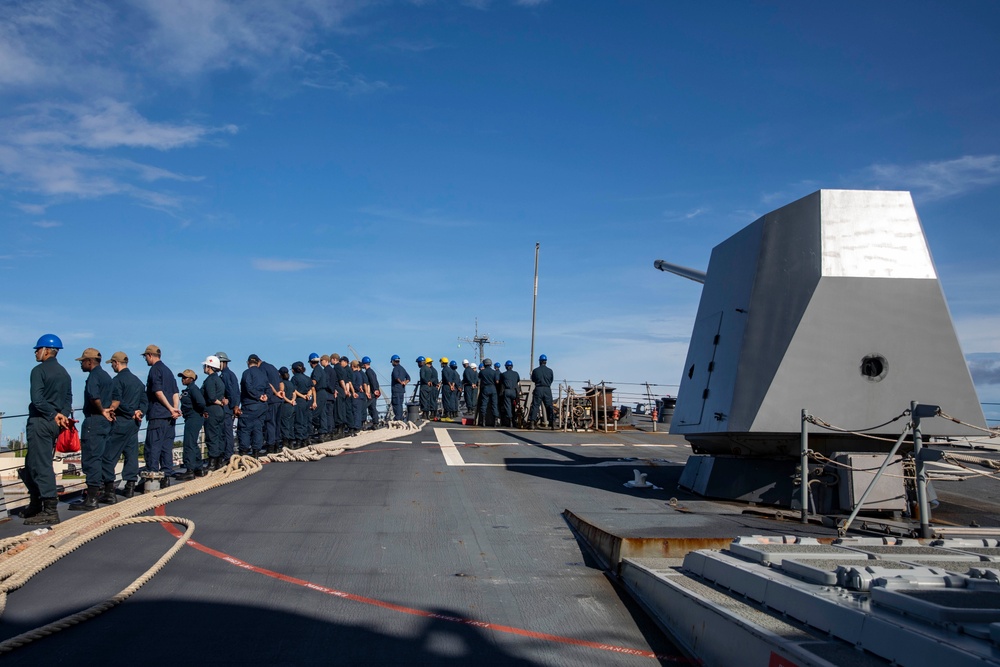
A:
389,523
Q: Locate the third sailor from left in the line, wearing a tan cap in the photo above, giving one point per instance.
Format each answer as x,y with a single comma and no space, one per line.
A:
128,406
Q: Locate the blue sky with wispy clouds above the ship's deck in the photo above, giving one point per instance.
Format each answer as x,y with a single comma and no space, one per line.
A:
304,175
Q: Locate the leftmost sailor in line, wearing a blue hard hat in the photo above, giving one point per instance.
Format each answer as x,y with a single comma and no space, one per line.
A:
48,413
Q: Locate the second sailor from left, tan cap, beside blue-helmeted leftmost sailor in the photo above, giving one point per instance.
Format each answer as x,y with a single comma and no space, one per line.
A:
96,426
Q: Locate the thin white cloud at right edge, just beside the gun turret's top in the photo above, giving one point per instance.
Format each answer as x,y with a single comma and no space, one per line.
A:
938,180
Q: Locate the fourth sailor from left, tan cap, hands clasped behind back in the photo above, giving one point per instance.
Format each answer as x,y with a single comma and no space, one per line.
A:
161,419
